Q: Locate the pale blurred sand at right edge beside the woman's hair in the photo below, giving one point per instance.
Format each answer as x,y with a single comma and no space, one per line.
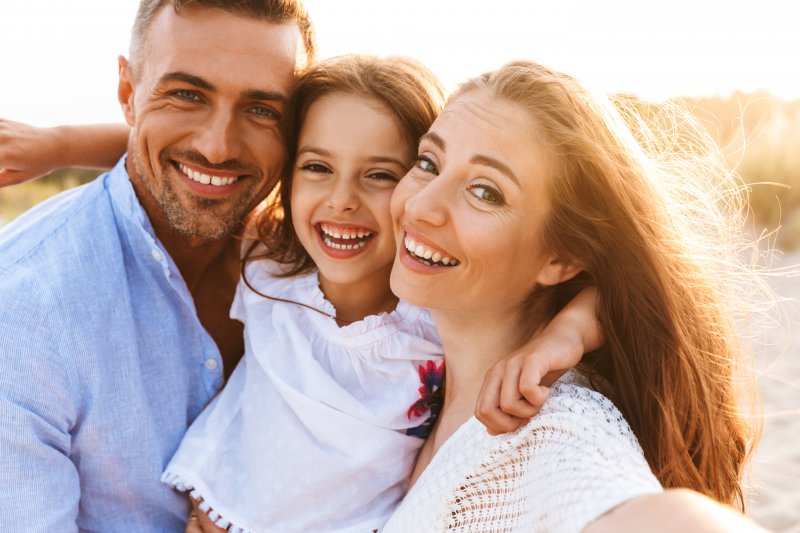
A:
775,477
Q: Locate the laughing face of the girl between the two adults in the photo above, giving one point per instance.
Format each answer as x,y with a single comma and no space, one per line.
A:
351,155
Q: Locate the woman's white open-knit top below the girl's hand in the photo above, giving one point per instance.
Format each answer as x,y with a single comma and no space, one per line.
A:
570,464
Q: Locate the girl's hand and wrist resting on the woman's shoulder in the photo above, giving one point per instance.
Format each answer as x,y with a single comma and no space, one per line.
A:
516,387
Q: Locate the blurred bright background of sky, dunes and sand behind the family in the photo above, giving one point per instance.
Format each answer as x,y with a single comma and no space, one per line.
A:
734,64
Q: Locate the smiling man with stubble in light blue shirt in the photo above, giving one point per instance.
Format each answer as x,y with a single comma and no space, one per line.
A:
96,387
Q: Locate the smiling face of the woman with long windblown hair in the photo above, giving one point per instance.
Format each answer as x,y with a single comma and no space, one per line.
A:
468,215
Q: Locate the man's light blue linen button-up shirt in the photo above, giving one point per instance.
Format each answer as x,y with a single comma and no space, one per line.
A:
103,366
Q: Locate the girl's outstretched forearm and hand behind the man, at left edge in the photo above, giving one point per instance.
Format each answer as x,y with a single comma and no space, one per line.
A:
28,152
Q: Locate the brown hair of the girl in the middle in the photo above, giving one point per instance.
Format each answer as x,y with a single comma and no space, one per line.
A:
403,85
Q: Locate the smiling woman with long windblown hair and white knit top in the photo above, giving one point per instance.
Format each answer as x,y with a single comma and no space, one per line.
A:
535,188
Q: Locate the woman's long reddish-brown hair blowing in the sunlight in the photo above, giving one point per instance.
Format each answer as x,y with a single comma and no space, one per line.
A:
649,215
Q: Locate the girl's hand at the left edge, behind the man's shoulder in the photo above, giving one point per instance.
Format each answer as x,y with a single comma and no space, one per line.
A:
27,152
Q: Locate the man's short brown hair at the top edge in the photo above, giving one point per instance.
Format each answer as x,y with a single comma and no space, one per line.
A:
275,11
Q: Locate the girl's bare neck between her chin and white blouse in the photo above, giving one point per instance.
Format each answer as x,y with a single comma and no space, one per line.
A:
355,301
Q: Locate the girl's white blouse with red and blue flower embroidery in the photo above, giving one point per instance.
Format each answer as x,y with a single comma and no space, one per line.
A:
319,426
